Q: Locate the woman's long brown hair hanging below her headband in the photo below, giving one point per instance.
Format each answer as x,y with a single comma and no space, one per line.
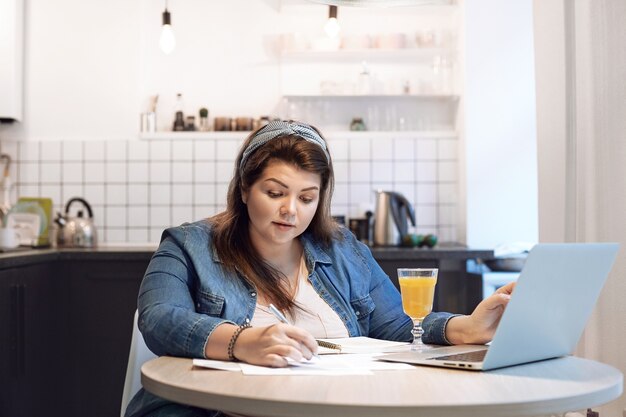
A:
231,235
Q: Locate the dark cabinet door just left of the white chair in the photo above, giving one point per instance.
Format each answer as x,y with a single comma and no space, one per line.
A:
102,302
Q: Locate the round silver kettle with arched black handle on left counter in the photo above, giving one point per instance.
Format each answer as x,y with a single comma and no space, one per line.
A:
79,231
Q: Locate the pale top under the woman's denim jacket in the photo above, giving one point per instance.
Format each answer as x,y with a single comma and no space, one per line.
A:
315,315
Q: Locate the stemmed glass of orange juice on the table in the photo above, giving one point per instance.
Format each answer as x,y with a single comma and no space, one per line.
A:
417,286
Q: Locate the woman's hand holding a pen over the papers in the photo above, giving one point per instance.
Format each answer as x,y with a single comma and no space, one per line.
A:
274,345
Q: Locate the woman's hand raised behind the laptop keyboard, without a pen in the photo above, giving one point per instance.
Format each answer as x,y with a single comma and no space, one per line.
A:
480,326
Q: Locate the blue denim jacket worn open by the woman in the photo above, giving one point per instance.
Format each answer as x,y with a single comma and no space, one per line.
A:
187,292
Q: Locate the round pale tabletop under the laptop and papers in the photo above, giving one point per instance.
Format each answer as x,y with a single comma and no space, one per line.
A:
553,386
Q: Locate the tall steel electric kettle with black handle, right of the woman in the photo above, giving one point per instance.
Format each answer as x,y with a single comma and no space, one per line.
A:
393,211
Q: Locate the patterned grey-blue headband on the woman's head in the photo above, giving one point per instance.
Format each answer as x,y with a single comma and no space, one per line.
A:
280,128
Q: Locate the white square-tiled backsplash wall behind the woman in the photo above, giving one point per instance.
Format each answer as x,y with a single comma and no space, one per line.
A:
137,188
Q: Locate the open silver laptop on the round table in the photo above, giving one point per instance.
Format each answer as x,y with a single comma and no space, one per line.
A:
552,301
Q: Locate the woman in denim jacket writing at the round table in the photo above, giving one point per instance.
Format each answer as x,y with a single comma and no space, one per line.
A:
208,287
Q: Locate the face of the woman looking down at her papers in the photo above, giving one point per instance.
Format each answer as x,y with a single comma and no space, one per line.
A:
281,203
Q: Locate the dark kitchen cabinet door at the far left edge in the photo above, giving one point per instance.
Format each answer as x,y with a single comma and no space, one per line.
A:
32,341
